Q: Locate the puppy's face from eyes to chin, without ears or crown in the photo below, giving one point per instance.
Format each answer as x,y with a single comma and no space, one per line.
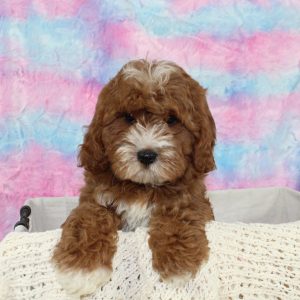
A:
147,148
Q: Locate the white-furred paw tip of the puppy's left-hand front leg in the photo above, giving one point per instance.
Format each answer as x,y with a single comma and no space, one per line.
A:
80,282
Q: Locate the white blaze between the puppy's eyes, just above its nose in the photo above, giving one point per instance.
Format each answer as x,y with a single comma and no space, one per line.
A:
149,136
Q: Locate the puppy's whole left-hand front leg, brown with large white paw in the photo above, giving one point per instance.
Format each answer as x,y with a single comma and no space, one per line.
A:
83,256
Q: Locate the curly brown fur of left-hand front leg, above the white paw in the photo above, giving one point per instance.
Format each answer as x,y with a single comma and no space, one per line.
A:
88,239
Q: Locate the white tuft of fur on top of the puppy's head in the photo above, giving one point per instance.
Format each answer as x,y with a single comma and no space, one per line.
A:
157,73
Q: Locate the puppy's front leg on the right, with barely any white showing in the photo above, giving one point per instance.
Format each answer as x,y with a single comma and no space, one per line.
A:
177,239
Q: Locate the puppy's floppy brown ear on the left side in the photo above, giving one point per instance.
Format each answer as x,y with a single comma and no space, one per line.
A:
92,154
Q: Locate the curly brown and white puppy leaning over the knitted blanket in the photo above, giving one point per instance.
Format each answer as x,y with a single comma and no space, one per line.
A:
145,156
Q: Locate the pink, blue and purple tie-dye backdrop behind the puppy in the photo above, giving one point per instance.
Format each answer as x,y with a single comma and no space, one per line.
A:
56,55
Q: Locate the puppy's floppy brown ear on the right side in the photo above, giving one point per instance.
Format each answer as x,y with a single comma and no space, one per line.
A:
205,140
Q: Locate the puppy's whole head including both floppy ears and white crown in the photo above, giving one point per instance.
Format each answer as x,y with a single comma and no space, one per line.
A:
151,124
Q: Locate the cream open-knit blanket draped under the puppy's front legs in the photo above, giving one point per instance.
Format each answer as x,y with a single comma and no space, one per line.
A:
247,261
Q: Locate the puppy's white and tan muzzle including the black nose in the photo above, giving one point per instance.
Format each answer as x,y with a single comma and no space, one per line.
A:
146,160
